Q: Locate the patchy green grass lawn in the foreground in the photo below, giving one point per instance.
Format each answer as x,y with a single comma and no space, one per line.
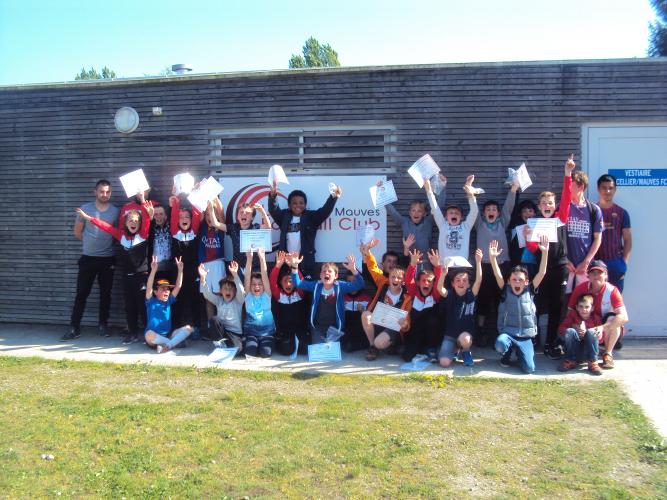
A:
138,431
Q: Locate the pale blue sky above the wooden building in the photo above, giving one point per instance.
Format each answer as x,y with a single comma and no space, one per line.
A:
50,40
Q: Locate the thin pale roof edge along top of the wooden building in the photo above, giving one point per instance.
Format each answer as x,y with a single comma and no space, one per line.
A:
314,71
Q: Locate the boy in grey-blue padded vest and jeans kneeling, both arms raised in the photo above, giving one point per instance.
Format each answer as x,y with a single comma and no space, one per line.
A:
517,322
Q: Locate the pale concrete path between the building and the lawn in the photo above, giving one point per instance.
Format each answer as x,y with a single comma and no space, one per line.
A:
641,366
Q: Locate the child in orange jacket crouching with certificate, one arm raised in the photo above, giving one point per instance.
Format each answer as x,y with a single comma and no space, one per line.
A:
391,291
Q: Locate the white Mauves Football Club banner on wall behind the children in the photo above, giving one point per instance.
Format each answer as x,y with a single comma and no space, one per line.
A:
337,235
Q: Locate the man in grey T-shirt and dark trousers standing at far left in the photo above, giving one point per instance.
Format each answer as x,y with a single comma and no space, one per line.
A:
97,260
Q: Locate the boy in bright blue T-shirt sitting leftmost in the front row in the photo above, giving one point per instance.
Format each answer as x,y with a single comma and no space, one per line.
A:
158,311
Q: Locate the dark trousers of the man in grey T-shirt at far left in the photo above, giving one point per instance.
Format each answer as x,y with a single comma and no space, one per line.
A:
90,268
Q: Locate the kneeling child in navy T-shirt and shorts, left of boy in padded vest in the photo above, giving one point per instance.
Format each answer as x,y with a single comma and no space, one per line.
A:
458,307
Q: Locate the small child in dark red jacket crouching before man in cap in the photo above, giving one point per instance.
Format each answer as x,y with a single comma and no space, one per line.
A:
581,331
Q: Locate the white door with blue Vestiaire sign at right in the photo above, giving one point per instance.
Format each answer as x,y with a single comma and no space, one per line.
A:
637,155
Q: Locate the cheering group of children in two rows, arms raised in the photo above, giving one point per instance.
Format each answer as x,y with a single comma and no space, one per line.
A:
443,314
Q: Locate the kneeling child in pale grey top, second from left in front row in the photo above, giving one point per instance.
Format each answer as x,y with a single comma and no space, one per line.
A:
229,306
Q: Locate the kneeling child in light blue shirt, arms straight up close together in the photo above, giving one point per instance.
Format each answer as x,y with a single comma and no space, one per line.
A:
259,328
